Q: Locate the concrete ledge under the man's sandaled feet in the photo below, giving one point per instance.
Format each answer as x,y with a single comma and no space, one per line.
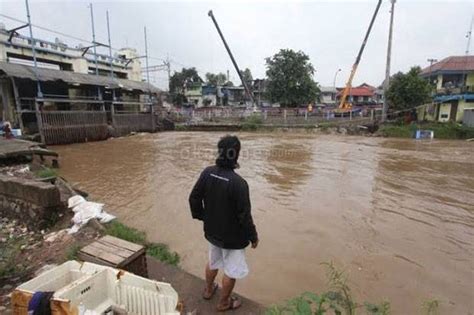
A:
189,288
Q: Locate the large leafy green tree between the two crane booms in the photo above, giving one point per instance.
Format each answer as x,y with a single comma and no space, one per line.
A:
290,78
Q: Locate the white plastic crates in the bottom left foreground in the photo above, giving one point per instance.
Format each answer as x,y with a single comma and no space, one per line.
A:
96,288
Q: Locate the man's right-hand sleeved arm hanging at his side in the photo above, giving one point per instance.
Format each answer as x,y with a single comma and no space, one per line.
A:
244,213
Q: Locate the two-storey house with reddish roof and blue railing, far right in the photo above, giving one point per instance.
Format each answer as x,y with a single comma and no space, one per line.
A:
453,79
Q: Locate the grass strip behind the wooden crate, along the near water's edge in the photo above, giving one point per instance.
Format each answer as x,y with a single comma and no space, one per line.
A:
156,250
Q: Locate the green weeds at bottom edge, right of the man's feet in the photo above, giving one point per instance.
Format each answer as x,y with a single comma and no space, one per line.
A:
337,300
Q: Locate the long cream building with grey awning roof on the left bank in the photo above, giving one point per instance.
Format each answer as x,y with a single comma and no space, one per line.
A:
68,80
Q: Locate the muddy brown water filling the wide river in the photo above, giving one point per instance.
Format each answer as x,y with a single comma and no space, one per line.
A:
398,215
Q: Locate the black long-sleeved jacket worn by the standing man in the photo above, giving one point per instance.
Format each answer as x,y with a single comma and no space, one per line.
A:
220,198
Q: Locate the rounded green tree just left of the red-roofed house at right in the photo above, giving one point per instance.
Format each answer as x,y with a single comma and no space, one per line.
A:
408,90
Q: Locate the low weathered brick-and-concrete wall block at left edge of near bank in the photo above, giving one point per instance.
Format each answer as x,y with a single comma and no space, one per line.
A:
35,203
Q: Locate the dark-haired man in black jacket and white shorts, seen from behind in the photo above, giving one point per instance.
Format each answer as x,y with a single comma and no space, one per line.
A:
220,198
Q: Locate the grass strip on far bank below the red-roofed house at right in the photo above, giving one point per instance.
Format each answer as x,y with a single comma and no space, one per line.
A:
448,130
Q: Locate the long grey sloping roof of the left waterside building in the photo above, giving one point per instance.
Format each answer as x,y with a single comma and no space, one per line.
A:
28,72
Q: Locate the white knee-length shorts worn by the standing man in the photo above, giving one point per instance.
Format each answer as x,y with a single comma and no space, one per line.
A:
231,260
